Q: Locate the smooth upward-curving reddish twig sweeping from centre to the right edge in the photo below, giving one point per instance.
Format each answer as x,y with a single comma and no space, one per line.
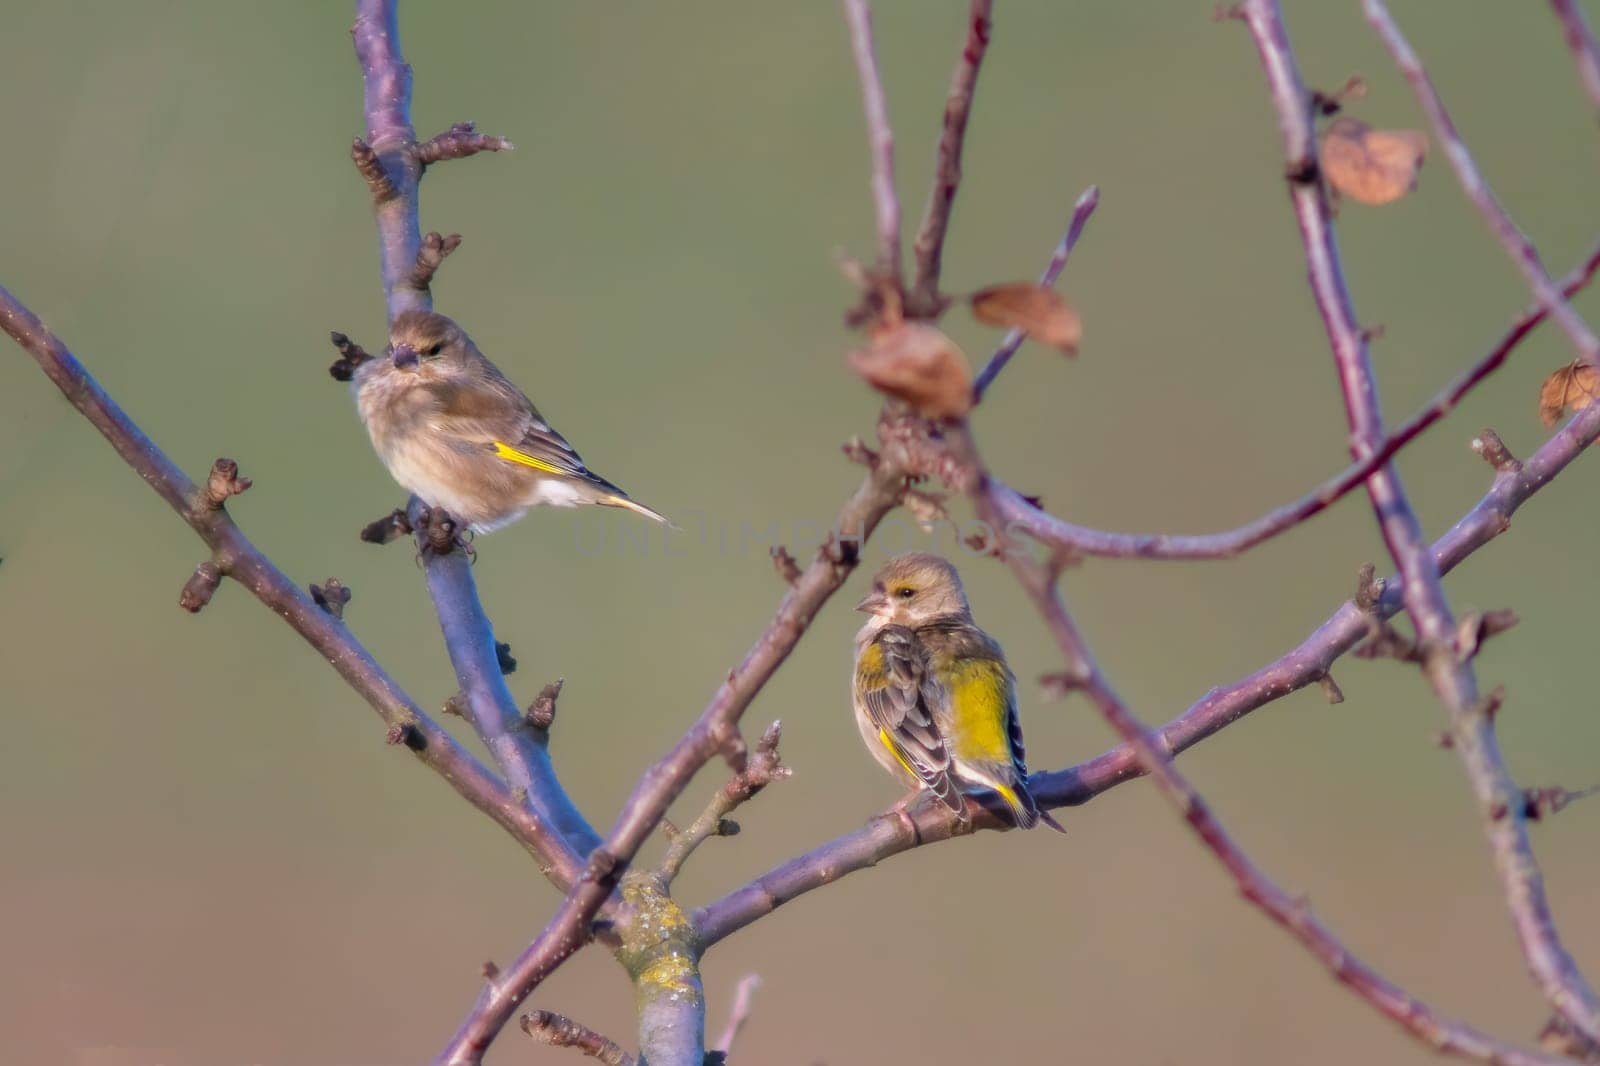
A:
1022,516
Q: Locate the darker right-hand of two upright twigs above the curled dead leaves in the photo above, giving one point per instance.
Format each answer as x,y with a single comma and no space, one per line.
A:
924,300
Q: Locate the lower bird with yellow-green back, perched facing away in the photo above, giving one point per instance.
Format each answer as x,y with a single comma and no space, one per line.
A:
935,699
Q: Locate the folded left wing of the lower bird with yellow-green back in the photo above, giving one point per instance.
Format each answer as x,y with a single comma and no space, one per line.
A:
905,702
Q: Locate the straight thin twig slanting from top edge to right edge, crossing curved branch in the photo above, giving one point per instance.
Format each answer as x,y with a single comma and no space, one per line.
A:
1478,190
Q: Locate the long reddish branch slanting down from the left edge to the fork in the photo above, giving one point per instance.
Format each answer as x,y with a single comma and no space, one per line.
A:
234,556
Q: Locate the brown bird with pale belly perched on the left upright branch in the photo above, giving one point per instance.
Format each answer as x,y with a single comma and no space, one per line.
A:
455,431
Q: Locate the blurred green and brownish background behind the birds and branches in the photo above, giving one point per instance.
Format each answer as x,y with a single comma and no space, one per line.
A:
212,857
